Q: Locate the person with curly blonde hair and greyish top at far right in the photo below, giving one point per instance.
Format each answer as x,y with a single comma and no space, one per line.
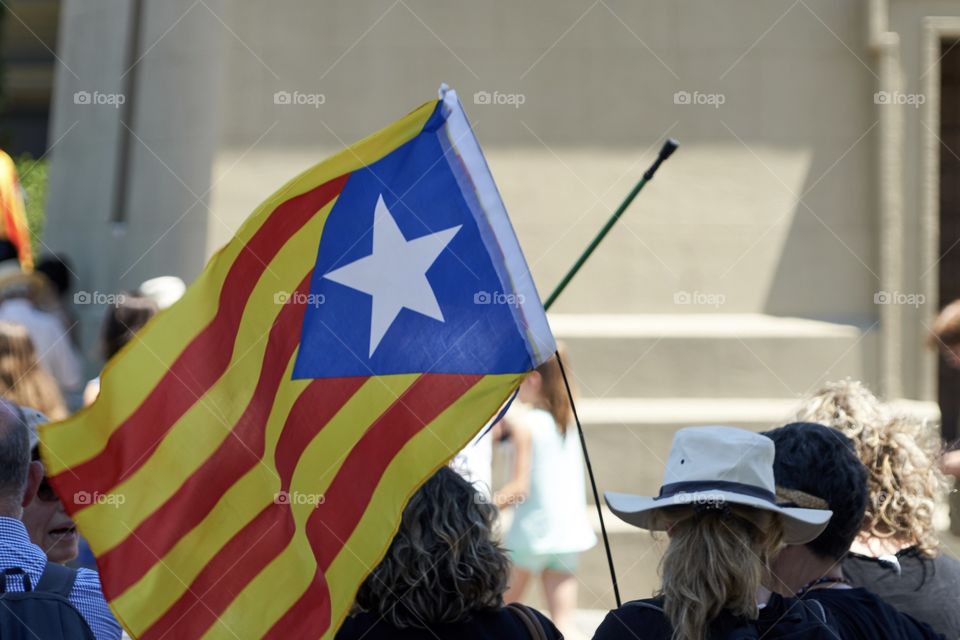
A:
897,553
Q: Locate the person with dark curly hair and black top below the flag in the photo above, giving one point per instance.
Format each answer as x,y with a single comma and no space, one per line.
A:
444,575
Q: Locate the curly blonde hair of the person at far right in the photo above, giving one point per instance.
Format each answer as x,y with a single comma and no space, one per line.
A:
900,452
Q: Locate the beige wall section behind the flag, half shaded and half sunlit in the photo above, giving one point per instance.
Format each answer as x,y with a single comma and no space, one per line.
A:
725,216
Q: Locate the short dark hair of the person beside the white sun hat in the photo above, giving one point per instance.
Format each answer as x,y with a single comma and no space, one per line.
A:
822,462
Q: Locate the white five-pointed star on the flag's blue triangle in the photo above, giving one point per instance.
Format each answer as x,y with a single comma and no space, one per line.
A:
395,274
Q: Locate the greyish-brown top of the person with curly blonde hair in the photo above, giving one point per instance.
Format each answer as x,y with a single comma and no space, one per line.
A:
928,590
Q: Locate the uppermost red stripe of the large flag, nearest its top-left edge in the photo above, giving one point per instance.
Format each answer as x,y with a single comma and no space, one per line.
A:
201,363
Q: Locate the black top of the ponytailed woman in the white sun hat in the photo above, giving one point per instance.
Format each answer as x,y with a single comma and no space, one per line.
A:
781,619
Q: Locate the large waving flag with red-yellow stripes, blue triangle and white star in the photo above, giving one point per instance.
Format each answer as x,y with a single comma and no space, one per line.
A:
252,449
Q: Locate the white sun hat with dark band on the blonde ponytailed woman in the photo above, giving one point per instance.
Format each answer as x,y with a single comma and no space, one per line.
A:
712,467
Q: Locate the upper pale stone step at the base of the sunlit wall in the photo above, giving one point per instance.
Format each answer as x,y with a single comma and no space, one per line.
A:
711,355
